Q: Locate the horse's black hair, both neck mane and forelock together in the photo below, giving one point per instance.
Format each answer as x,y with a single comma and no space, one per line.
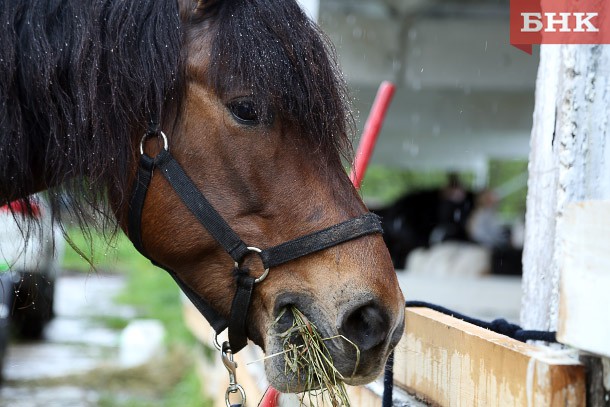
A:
77,78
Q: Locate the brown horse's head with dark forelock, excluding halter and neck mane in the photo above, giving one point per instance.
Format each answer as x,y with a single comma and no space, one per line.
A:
261,131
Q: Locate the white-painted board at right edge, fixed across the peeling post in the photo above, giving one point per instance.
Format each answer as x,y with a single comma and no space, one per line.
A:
584,307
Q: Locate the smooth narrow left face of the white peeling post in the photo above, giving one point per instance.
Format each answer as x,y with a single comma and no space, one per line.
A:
540,278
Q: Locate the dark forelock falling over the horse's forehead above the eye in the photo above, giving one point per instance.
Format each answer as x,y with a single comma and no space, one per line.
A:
272,50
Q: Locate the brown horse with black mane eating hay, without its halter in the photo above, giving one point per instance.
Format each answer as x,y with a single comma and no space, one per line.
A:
255,113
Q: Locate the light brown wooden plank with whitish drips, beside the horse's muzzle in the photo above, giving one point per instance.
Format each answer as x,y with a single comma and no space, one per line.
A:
452,363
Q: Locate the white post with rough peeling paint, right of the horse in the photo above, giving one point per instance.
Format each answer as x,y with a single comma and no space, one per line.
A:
569,162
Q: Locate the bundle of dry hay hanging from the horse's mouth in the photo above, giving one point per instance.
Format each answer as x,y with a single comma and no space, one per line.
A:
308,360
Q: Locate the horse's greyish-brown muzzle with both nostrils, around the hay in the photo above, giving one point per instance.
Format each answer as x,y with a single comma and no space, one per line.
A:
358,333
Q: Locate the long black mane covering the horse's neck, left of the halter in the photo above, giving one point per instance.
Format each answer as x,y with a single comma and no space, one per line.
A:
76,78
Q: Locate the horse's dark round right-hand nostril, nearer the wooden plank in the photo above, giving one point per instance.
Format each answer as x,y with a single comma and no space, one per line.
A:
367,326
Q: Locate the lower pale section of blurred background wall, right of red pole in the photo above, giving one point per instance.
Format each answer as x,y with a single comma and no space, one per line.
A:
451,130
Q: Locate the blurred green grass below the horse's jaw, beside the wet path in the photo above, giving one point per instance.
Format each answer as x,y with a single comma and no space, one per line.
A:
154,294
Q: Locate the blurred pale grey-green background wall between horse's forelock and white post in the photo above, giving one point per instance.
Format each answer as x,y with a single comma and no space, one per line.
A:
464,94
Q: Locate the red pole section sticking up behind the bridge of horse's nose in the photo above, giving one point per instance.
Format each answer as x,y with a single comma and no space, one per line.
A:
371,131
